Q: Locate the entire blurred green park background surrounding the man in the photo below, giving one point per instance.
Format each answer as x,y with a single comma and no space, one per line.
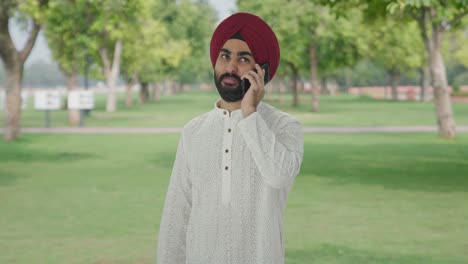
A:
381,88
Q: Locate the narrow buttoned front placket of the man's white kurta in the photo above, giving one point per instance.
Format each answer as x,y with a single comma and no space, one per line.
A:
226,167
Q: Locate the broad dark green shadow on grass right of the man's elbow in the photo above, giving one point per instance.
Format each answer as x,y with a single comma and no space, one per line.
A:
430,167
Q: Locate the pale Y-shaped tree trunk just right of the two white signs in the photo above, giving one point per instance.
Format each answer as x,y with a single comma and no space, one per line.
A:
112,73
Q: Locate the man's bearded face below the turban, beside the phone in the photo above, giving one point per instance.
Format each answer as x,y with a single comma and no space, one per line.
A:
234,60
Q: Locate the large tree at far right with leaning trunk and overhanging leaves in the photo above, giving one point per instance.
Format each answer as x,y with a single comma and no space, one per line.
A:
434,18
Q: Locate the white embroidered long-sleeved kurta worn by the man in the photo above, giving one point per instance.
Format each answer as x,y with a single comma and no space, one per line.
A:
229,186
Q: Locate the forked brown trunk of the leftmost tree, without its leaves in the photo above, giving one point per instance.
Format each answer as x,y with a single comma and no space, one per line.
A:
13,62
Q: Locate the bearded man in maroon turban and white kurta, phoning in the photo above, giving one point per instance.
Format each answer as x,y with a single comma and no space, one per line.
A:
235,165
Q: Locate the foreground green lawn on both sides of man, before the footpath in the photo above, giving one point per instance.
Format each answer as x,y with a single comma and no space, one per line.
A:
360,198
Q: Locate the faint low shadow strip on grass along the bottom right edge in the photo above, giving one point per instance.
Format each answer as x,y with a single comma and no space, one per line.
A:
344,255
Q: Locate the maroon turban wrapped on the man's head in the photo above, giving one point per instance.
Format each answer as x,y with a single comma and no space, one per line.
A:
255,32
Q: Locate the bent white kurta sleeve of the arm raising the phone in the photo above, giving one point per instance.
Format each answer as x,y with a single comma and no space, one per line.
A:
277,153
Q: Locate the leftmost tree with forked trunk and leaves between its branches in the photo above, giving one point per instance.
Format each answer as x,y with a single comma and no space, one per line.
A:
14,59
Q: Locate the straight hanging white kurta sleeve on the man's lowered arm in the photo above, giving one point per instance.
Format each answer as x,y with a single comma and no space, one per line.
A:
176,213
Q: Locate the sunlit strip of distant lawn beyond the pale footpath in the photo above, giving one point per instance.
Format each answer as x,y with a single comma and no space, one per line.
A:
175,111
